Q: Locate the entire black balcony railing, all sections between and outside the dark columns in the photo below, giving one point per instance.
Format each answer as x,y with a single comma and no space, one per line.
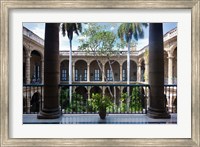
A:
136,102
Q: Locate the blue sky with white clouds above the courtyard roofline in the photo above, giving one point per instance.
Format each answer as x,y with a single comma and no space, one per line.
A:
39,28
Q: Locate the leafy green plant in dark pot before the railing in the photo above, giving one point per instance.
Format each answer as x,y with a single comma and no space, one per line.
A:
100,103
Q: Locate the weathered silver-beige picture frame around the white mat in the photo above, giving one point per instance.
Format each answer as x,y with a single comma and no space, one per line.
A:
7,5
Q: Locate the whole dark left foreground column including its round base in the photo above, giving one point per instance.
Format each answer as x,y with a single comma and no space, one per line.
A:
51,108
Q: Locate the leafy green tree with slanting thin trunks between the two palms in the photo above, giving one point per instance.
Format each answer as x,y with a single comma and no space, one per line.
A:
99,41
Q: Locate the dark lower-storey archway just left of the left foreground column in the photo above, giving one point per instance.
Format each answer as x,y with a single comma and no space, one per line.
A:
35,102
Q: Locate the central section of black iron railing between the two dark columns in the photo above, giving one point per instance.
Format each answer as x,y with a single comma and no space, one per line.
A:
122,102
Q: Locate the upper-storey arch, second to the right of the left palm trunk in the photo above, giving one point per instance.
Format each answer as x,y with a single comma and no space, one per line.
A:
95,71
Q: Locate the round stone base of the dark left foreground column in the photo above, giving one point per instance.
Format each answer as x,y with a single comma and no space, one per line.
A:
49,114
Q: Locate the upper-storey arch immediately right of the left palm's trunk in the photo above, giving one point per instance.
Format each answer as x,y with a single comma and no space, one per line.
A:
81,70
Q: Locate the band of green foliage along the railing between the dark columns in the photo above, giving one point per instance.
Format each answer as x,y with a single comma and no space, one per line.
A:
98,102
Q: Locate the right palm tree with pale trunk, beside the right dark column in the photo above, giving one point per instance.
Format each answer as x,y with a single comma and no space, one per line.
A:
127,32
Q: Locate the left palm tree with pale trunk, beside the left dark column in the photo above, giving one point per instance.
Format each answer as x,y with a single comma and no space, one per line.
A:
70,28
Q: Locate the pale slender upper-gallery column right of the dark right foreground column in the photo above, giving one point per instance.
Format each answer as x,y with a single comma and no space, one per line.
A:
170,69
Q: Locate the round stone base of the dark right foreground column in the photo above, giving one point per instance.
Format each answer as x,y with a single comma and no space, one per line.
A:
158,114
